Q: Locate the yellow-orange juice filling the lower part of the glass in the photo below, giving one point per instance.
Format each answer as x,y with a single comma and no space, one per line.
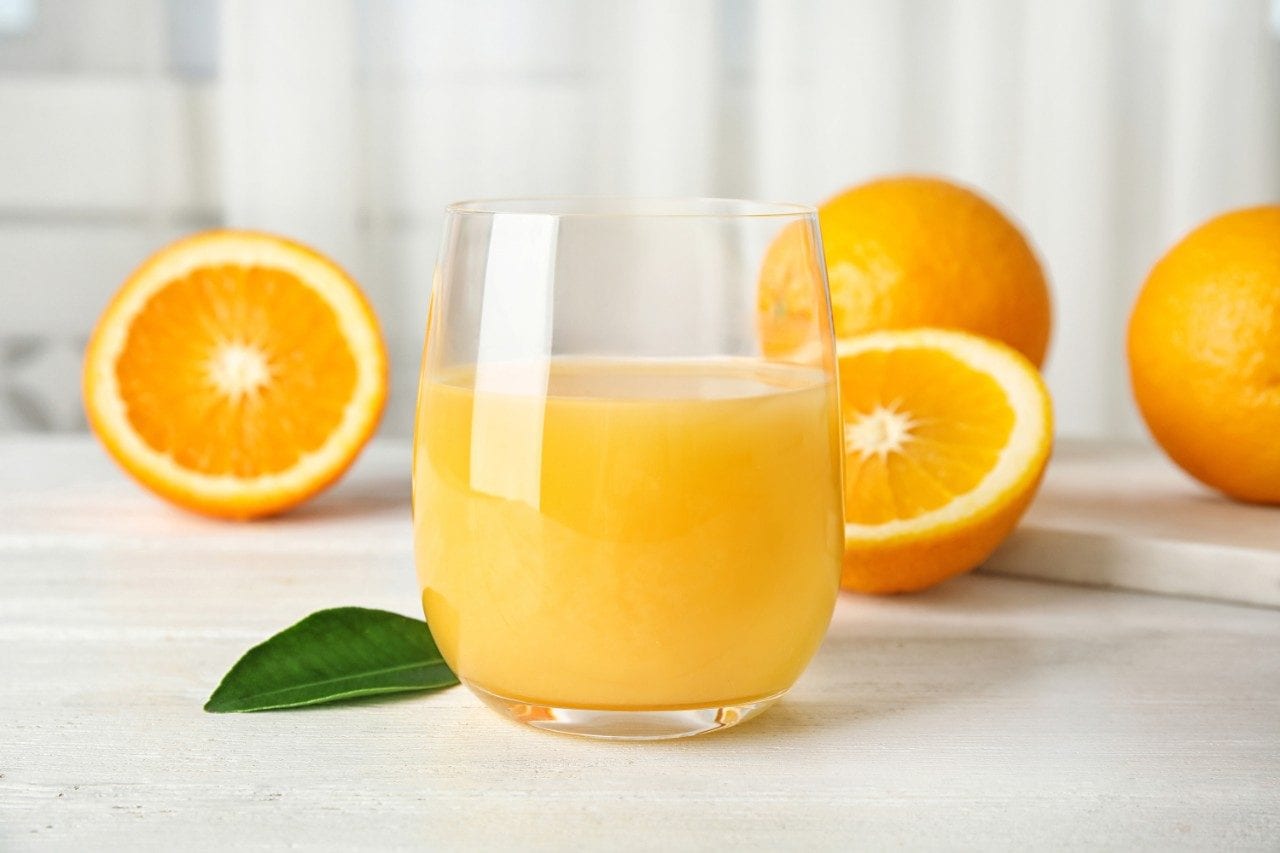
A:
629,535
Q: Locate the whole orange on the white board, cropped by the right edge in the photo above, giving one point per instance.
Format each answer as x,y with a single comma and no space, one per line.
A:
1205,354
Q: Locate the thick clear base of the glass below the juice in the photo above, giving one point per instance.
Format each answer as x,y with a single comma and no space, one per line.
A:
625,726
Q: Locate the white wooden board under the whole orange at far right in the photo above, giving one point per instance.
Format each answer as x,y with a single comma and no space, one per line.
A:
1123,516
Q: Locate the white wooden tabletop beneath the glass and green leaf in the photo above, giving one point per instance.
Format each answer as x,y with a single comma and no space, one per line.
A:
989,713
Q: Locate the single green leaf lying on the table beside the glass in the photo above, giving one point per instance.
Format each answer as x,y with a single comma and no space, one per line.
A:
339,654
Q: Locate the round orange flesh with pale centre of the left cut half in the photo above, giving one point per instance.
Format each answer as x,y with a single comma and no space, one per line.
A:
236,371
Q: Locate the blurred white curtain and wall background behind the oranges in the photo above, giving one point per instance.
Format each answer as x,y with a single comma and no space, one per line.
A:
1107,127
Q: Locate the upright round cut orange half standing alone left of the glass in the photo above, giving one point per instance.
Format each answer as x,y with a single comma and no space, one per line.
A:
236,373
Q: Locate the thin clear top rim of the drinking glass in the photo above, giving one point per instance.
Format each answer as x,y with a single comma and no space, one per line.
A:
633,208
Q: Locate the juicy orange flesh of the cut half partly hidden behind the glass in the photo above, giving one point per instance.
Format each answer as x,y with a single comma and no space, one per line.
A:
959,421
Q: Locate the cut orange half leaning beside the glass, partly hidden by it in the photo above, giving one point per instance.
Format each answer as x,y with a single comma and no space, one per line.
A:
947,436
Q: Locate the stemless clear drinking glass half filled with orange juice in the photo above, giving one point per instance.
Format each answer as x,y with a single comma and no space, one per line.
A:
628,460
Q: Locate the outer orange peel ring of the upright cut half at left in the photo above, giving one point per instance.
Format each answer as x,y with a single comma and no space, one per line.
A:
180,494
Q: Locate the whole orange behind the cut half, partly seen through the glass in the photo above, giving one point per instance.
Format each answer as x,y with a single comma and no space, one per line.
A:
913,252
